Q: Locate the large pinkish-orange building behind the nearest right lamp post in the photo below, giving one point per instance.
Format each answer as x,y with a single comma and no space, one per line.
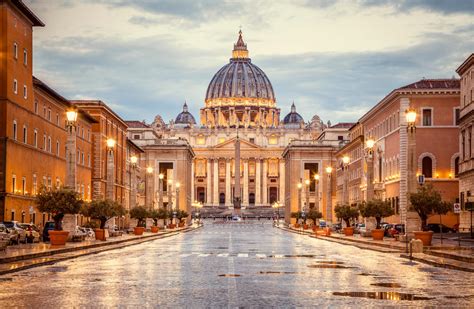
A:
436,102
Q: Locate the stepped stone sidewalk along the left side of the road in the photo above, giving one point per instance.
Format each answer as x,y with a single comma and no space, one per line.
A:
25,256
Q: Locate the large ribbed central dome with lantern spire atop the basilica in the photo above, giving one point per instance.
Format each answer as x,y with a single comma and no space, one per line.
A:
240,82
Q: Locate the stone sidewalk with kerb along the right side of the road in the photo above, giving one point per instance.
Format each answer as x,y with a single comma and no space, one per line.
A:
447,255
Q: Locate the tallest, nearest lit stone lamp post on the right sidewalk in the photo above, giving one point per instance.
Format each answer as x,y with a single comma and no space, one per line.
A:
410,218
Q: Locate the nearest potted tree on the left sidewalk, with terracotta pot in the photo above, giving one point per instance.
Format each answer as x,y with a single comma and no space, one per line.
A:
58,202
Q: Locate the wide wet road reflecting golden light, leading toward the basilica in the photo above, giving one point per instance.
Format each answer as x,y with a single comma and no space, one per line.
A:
237,265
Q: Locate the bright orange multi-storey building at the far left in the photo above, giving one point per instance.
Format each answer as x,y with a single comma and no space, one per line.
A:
32,124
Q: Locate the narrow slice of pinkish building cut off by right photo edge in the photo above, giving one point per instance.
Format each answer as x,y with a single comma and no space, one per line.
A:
466,121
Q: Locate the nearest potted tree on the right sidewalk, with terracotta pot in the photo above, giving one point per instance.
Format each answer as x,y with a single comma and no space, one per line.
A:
425,202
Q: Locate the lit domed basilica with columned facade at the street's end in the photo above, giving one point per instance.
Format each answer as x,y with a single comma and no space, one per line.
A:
240,101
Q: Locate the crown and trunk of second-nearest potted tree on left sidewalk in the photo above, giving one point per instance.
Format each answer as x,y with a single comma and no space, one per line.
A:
103,210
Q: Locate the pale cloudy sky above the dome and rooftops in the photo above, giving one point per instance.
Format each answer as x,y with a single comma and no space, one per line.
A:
335,58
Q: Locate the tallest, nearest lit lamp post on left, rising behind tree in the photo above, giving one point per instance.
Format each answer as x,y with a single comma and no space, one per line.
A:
71,117
